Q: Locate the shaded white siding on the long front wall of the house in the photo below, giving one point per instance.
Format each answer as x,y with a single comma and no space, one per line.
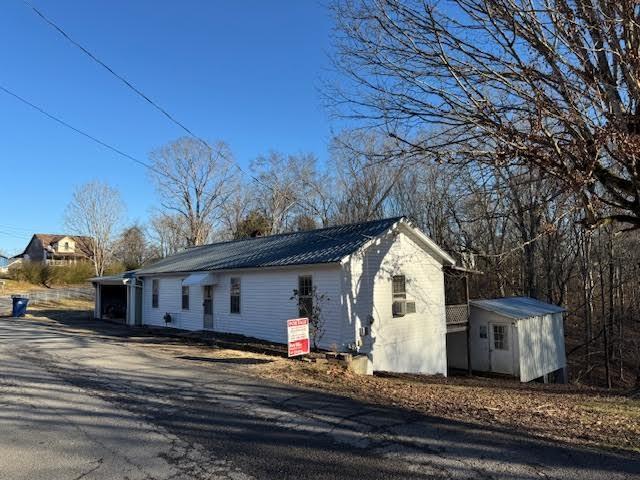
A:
265,303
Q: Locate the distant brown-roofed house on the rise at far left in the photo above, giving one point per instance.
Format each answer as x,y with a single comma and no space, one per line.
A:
56,249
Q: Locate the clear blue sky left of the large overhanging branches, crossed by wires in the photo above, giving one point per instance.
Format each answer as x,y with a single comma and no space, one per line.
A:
246,72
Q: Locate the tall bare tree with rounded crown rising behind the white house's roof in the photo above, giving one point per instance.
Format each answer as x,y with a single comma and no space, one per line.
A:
194,180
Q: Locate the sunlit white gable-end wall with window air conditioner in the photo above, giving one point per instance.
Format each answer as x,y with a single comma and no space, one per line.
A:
416,342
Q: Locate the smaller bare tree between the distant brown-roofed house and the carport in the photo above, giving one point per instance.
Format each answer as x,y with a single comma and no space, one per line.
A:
95,211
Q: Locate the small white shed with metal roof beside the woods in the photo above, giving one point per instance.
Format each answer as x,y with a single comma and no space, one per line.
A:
517,336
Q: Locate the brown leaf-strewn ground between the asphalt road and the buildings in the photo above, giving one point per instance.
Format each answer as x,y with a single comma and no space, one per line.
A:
571,413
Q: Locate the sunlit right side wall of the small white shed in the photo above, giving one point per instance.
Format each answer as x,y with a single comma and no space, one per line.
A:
541,346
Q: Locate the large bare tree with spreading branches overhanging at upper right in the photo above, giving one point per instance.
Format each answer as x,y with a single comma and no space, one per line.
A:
553,84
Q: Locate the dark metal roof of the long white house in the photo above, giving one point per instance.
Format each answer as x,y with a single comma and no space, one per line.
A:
326,245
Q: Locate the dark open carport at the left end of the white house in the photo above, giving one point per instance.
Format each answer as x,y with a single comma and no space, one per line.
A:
118,298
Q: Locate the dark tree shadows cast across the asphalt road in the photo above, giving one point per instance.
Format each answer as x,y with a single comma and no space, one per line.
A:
220,409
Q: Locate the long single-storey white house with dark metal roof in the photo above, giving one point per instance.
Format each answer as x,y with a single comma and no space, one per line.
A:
382,285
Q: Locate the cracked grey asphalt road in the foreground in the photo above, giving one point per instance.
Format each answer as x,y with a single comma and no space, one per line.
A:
78,404
